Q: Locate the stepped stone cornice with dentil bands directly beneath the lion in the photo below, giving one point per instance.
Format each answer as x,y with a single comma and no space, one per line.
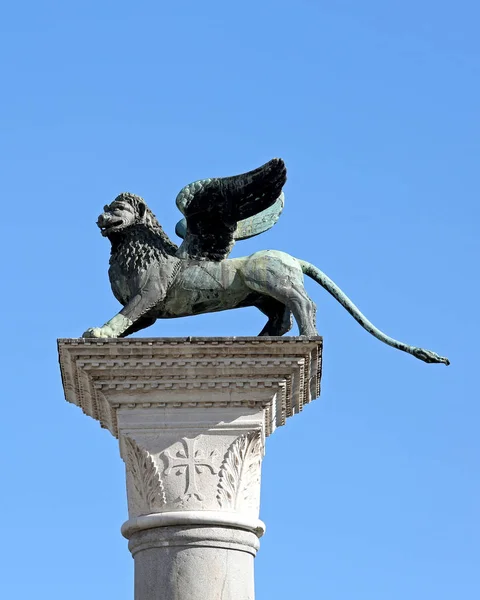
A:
278,374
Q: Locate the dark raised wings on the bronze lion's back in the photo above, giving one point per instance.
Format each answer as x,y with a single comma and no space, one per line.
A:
222,210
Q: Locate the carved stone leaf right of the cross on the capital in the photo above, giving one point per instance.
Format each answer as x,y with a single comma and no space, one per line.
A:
240,472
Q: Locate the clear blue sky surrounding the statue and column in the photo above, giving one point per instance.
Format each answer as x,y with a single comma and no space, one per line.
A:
373,492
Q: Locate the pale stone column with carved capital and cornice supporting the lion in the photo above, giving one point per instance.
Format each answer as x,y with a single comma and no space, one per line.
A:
191,416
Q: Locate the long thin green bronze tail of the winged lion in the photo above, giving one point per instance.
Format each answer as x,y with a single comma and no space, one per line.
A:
333,289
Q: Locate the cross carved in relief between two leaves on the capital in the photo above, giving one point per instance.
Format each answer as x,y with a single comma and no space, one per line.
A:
194,463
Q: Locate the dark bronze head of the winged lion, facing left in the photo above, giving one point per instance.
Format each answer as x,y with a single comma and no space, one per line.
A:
126,210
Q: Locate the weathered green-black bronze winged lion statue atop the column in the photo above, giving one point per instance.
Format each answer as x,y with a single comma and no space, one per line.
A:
154,279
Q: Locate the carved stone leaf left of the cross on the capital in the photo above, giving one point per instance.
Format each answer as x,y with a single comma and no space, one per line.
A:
146,478
